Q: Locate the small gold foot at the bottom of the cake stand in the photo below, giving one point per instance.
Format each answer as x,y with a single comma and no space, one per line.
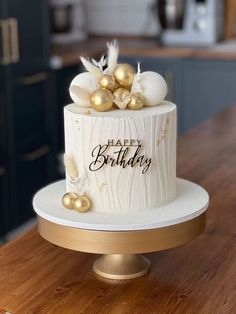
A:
121,266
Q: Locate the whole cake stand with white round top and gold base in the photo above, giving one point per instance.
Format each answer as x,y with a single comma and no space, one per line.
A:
122,237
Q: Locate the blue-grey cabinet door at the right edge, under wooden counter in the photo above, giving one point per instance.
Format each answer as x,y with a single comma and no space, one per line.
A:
209,87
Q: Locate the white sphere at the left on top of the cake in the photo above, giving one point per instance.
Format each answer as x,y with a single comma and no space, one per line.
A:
86,81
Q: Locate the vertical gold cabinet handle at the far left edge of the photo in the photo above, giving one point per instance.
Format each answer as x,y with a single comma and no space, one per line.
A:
4,28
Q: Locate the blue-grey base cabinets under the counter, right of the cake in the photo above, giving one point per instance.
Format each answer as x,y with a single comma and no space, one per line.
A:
199,87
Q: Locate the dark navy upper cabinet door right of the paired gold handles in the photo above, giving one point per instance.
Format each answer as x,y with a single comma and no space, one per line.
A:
29,35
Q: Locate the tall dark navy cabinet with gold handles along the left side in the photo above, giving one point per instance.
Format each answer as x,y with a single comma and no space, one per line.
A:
28,116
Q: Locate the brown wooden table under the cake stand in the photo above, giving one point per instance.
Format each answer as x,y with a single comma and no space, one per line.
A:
38,277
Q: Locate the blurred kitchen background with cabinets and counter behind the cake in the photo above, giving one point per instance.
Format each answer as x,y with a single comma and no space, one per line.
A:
192,43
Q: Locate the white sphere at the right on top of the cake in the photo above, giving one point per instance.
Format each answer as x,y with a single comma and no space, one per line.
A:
154,88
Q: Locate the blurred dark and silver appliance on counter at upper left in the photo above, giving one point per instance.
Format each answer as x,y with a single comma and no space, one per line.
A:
68,21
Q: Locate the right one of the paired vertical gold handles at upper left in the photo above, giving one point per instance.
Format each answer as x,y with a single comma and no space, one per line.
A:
14,40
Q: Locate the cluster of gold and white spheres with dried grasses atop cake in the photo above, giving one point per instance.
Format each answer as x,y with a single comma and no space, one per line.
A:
109,85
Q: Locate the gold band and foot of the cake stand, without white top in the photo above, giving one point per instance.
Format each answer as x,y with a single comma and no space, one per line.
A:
122,250
